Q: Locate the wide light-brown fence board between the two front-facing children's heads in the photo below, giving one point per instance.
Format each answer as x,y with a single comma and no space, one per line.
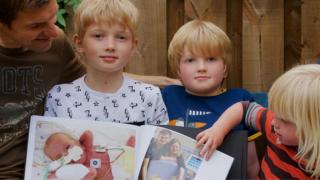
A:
151,56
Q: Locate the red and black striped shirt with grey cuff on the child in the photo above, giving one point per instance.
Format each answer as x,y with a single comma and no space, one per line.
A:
279,161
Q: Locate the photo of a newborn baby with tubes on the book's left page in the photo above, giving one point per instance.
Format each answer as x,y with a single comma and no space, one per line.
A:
67,149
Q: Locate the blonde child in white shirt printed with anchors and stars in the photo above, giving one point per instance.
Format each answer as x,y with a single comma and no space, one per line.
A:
105,39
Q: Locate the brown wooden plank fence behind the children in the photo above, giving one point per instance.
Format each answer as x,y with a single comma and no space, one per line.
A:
268,36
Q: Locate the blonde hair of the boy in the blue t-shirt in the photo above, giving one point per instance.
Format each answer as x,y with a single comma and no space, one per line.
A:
199,37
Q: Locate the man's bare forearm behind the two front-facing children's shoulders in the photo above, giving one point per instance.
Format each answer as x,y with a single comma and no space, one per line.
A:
160,81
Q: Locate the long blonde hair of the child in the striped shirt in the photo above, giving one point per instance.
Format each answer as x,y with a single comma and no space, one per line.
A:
295,97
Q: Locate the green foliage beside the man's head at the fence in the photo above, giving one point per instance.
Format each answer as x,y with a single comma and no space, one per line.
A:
64,7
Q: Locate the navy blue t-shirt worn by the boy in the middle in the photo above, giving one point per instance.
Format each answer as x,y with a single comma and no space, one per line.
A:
188,110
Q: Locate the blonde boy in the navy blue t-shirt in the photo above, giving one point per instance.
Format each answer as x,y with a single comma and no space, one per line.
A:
199,53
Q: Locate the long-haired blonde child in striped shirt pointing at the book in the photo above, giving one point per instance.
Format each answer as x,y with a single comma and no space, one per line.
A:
291,126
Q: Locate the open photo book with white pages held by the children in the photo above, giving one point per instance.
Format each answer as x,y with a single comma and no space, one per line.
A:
61,148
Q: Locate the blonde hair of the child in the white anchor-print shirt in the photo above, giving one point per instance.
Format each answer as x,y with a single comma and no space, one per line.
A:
105,11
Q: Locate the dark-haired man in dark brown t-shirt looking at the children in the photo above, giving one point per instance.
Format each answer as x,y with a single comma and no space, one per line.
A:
34,56
